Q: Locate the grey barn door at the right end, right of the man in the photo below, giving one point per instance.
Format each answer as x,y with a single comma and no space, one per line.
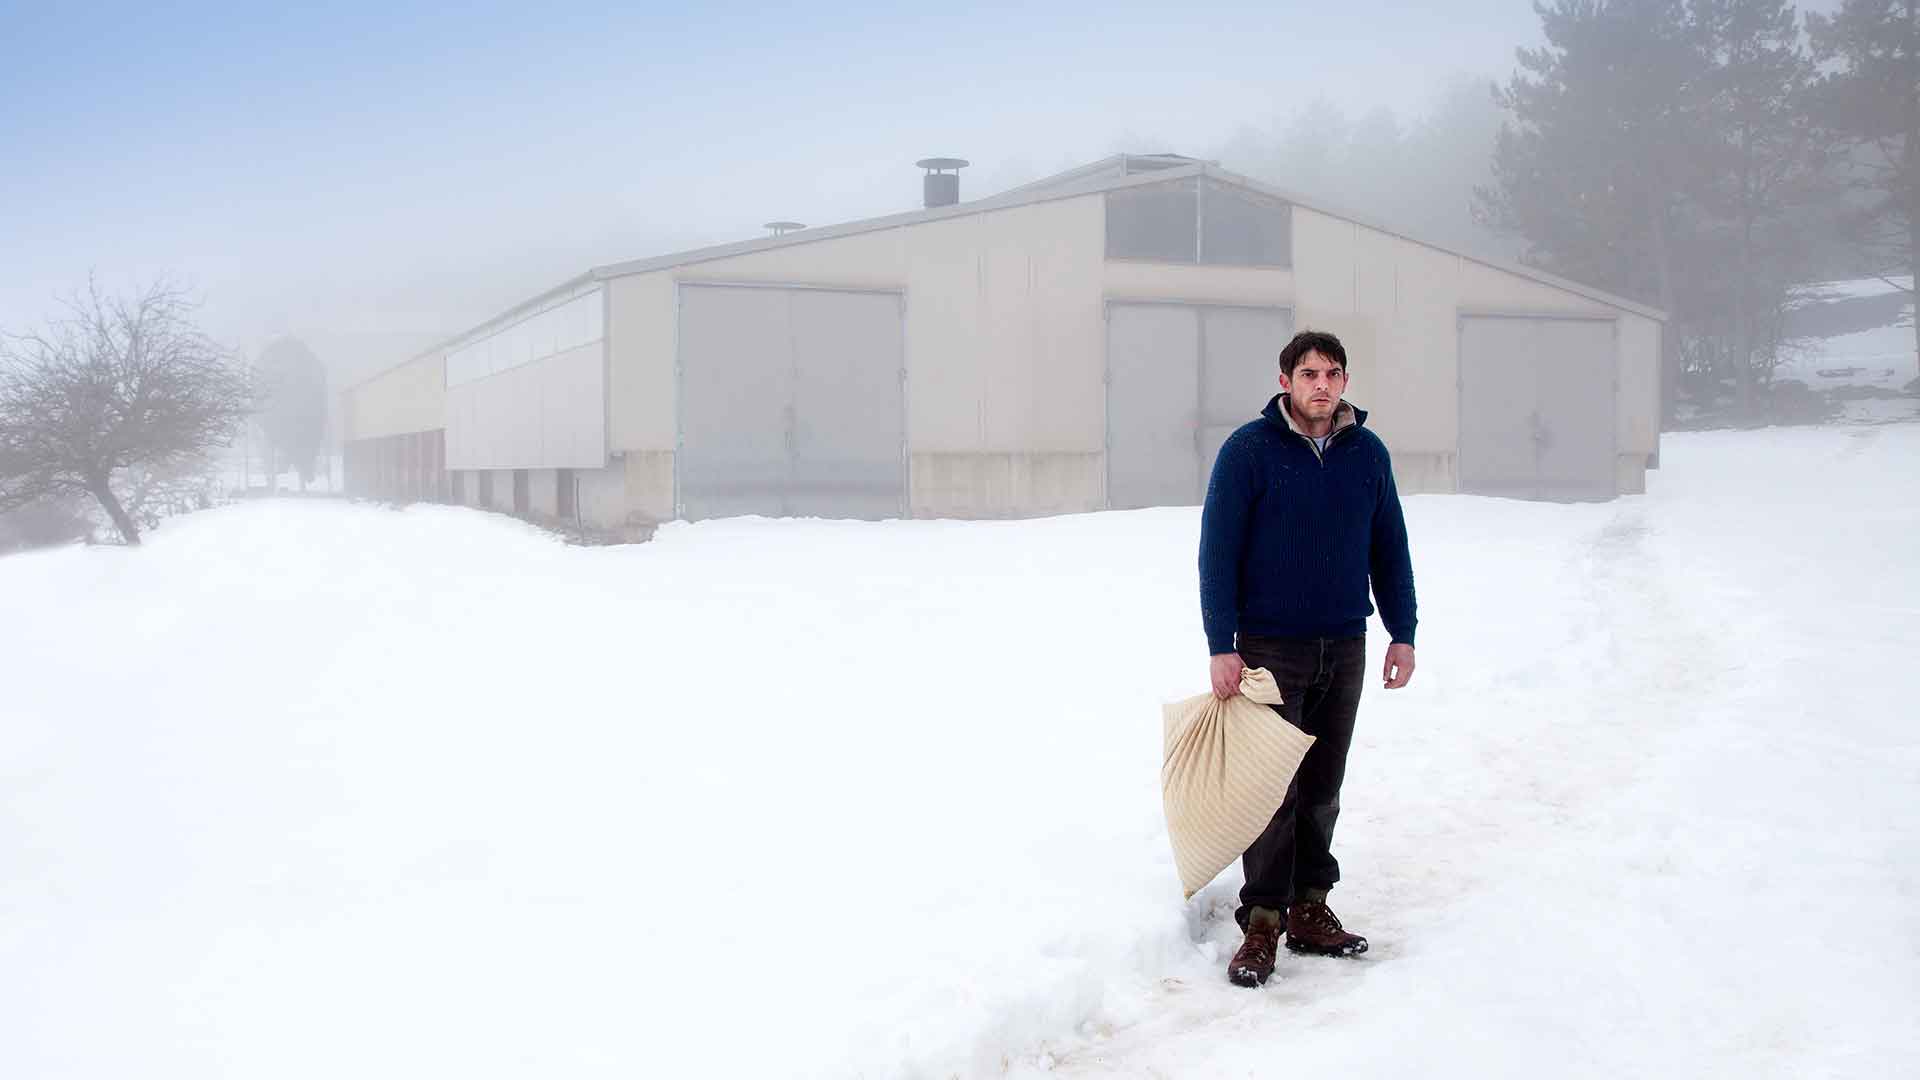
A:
1537,406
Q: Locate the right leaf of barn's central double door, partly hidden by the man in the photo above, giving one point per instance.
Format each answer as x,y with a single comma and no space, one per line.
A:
1239,374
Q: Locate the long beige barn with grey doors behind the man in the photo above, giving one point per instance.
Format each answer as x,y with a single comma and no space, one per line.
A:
1074,345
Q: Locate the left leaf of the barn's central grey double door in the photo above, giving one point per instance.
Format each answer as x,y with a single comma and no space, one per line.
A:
1153,405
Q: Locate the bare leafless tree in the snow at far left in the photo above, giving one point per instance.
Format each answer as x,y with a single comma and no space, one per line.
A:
116,393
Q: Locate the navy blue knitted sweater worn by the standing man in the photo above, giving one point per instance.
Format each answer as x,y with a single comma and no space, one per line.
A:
1291,537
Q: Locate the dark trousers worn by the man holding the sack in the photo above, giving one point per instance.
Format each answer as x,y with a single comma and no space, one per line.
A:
1322,681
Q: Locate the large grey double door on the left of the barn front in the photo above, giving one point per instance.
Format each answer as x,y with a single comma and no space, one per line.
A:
792,403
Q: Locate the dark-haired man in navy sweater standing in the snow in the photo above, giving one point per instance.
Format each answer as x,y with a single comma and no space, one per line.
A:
1301,514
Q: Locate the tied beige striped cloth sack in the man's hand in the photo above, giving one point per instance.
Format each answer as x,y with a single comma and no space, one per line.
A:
1226,772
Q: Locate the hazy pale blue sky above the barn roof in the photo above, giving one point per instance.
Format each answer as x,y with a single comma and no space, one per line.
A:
391,170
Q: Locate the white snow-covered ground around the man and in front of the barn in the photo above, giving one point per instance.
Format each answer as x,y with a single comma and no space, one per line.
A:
337,791
